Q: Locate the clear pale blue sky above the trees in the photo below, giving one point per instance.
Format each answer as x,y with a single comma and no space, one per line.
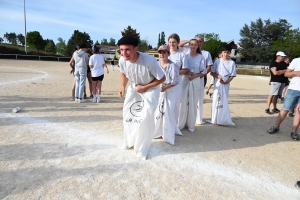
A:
106,19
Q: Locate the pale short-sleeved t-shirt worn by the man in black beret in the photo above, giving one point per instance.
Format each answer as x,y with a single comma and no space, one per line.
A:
143,71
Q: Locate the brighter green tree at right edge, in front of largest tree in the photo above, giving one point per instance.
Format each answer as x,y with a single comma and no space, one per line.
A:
289,43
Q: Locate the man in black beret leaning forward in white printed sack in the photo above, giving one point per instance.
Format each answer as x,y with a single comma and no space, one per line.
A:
142,95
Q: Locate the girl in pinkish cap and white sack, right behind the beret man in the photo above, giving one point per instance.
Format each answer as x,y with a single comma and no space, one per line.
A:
165,120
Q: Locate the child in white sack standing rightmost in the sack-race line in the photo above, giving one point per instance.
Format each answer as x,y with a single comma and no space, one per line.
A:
223,71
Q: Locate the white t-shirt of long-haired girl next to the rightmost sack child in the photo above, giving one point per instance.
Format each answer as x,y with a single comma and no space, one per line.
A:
197,64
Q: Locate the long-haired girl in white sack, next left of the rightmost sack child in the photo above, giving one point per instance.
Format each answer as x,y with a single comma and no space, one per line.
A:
191,87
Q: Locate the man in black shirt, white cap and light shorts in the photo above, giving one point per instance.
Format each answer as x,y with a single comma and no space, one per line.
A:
278,80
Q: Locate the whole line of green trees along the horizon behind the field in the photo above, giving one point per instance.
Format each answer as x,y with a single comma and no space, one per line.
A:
258,43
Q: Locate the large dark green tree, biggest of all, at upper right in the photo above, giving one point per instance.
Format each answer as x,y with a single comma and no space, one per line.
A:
257,38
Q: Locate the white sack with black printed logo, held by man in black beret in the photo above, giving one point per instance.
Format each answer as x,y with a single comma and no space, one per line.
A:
138,119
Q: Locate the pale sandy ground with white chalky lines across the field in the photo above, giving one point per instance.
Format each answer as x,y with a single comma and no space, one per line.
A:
58,149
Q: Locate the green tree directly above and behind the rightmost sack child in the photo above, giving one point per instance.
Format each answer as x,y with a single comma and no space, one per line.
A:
212,43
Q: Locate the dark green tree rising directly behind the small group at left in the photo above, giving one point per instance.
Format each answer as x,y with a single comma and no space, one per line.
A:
78,38
